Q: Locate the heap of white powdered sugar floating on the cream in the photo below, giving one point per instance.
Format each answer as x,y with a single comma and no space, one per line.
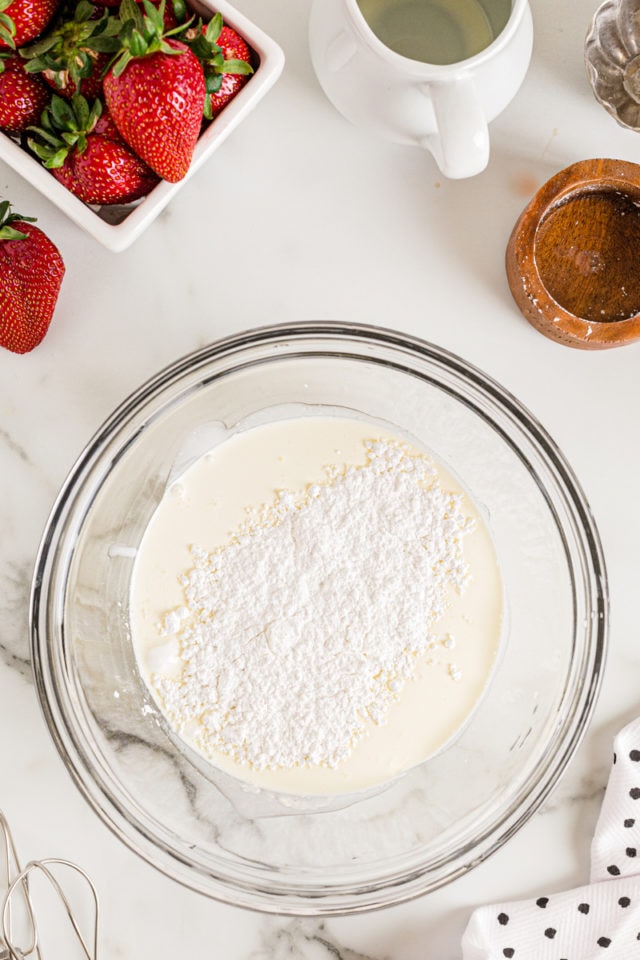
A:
310,620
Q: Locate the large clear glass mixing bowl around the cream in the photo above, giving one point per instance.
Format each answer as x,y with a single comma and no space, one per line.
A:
315,856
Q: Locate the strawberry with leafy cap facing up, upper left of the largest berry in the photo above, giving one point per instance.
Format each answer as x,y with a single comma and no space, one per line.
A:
74,54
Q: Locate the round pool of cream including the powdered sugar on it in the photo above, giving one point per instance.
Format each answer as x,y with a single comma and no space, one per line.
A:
316,606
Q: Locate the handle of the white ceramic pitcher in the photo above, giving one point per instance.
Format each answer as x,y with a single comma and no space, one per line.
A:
460,145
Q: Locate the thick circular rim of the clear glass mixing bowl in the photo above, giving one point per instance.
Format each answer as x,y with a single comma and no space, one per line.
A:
254,888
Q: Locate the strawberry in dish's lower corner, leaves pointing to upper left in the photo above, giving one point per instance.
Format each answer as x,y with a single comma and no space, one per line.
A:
86,154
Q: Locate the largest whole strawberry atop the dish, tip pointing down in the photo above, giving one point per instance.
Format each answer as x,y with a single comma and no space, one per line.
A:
155,92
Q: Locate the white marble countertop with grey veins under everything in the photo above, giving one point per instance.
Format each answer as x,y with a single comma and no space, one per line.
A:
300,216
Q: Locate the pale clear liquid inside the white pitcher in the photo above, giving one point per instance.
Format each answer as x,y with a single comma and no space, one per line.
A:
436,31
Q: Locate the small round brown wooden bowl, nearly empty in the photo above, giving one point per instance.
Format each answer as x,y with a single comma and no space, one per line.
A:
573,258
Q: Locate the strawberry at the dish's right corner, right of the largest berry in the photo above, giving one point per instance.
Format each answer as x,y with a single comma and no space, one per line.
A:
226,61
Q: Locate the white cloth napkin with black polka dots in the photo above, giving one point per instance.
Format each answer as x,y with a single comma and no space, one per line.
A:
600,921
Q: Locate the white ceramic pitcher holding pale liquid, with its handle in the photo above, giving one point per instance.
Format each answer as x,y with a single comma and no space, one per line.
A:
444,108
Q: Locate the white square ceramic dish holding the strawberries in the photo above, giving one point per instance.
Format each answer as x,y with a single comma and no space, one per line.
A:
118,227
